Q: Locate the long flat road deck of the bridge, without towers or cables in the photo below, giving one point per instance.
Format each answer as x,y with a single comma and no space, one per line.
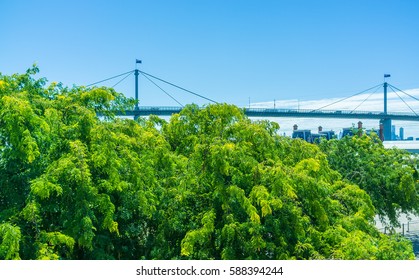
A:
274,112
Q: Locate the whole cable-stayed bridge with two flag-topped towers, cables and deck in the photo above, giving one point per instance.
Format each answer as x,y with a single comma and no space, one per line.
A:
385,118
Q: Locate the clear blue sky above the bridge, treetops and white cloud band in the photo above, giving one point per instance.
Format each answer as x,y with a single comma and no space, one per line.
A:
230,51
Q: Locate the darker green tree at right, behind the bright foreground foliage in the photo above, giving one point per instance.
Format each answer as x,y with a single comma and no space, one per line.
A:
389,176
